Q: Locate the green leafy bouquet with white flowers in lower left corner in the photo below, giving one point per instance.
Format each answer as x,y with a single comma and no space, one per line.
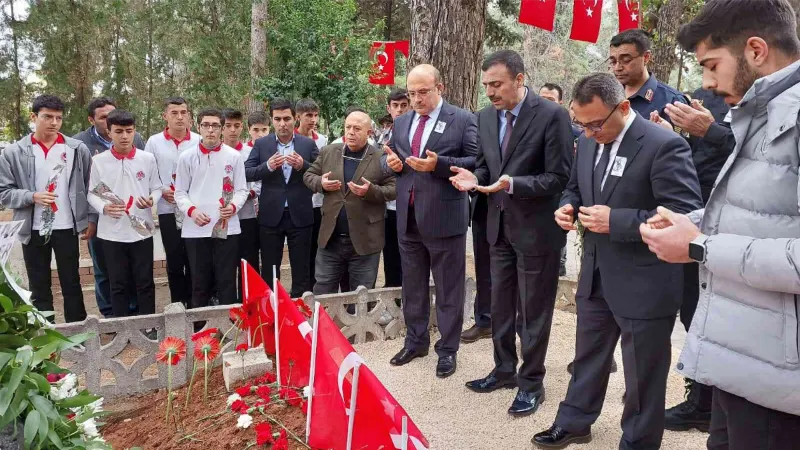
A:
54,415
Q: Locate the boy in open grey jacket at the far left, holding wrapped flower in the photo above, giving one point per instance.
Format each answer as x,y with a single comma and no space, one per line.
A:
44,178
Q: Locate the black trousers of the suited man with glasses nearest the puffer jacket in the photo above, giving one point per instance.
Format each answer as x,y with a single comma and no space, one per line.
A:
646,354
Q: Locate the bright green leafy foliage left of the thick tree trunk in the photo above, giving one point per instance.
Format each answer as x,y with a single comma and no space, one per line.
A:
320,51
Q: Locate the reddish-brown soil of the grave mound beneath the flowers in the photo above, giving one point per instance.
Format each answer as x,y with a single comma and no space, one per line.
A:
138,421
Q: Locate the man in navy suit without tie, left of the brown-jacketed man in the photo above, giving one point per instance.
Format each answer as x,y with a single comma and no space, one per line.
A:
285,211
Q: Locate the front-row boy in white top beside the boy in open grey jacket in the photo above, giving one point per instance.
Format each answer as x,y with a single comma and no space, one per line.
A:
123,187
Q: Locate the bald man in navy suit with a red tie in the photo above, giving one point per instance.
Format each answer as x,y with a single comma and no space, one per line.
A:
432,215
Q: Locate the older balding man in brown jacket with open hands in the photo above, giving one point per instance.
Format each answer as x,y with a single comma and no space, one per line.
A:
356,190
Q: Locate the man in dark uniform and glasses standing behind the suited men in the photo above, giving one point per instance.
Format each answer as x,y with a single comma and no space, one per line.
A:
629,55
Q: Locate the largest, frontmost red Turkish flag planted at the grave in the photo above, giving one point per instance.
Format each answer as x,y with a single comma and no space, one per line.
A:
378,416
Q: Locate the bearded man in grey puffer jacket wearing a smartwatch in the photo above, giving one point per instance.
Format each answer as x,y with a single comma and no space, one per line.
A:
744,338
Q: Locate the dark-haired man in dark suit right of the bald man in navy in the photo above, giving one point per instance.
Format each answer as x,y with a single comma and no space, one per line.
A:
523,164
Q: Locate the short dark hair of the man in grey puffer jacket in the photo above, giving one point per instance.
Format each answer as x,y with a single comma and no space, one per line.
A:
729,23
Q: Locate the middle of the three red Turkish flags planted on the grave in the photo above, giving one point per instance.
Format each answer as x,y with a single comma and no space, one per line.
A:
294,340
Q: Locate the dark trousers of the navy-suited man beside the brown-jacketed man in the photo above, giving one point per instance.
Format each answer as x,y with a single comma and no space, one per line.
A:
299,239
